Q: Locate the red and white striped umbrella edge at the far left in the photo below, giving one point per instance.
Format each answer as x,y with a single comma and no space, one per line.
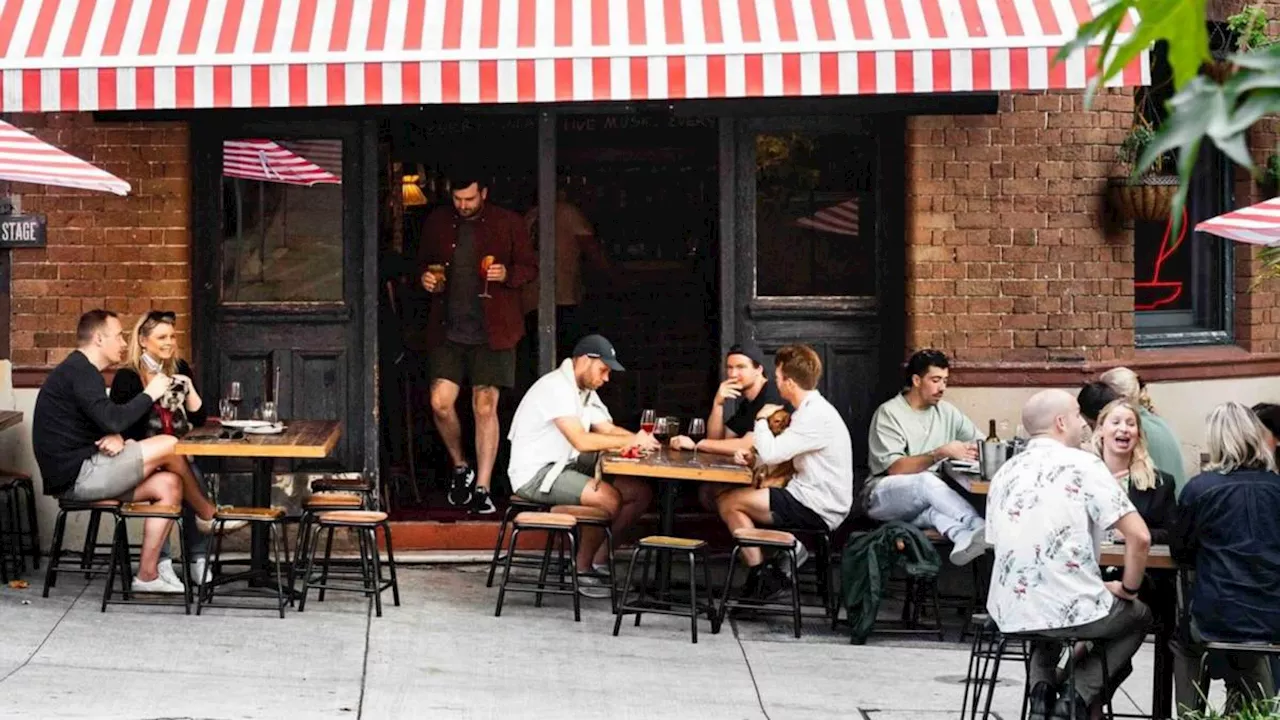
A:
26,158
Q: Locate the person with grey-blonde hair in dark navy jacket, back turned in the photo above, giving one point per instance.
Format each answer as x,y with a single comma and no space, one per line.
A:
1229,532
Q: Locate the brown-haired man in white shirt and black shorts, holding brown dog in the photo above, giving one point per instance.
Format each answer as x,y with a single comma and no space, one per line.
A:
817,444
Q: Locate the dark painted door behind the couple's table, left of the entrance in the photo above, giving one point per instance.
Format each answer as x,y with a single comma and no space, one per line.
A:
286,274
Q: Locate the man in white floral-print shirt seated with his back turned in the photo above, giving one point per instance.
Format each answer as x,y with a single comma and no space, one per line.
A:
1048,512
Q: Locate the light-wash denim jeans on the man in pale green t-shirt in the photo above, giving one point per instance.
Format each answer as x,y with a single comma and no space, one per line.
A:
922,500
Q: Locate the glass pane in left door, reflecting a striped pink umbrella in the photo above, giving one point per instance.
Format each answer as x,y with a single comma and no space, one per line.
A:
282,221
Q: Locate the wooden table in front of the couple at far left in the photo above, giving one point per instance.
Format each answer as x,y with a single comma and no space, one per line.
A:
301,440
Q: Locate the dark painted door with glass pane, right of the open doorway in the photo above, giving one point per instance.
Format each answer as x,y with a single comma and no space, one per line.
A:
819,254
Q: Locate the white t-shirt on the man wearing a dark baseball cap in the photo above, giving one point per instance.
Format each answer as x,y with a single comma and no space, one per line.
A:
536,441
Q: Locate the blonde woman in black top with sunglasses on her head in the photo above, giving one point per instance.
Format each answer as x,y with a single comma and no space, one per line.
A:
154,349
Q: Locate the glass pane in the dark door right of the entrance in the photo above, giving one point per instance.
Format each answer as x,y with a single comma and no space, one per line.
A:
815,216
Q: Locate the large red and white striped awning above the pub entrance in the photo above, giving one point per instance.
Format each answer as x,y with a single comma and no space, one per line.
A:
166,54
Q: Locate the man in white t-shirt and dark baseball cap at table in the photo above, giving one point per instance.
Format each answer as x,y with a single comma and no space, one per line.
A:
556,438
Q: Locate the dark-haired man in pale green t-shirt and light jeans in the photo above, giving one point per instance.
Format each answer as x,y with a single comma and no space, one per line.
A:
908,438
